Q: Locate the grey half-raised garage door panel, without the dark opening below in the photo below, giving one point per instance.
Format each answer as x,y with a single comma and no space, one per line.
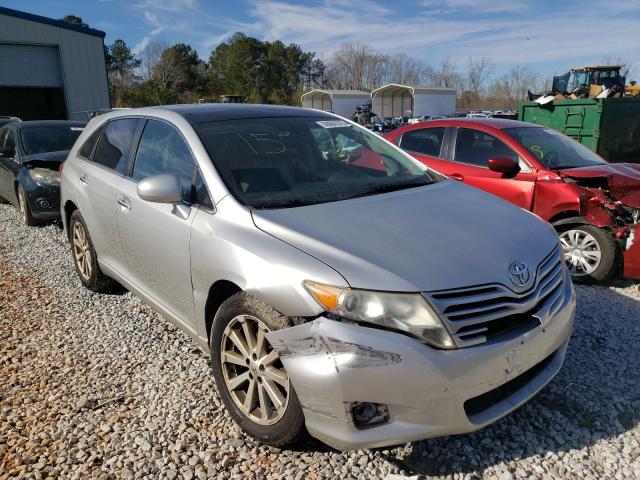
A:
29,66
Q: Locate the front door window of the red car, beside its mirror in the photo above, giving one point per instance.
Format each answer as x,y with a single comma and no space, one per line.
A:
476,148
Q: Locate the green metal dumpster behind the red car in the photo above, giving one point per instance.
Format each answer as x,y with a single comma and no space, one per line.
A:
608,126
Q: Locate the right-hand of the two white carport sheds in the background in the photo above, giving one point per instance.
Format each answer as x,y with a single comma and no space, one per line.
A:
395,100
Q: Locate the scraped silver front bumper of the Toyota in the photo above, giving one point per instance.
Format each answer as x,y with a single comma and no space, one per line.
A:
425,392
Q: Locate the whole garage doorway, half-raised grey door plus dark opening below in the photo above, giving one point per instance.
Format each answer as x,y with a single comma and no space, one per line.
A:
31,86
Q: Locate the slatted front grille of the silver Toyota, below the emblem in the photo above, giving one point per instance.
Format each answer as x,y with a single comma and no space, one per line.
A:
476,314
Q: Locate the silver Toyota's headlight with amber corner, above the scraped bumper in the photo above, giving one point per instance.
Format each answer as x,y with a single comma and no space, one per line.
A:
407,312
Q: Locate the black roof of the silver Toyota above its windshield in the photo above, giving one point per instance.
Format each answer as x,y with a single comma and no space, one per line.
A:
212,112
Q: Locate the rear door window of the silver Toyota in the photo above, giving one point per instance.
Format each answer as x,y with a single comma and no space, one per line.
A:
115,143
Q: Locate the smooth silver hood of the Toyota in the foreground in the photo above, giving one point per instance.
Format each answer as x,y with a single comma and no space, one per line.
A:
441,236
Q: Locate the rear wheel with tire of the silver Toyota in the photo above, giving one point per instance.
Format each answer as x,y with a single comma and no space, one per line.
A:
84,256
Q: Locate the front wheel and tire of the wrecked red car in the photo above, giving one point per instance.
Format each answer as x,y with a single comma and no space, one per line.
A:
590,253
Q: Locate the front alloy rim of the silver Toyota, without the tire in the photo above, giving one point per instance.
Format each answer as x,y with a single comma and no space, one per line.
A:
253,372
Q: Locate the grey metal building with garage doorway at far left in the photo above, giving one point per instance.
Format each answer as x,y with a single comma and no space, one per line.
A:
50,69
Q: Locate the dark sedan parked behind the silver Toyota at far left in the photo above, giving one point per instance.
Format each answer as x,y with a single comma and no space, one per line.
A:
30,157
